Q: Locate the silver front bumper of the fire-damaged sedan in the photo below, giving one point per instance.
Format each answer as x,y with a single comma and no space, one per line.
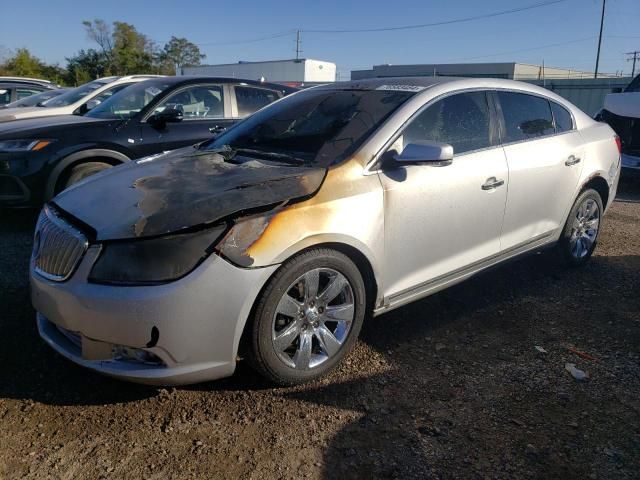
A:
198,320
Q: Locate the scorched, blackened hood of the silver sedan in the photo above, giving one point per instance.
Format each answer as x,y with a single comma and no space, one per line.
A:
181,189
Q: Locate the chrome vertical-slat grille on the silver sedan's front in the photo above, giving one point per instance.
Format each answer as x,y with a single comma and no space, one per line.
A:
57,247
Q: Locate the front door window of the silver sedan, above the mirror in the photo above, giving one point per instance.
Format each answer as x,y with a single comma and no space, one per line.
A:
461,120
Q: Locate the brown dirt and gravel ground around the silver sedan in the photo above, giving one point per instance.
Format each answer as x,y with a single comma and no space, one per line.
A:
448,387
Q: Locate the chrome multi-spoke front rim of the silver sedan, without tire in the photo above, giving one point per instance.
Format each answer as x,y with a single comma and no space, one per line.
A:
313,318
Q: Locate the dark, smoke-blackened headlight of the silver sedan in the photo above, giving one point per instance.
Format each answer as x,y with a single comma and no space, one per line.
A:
154,261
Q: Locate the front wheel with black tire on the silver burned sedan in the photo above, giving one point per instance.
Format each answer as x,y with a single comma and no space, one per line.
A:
289,313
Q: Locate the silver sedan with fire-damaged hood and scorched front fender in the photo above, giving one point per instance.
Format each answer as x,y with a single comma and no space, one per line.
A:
275,240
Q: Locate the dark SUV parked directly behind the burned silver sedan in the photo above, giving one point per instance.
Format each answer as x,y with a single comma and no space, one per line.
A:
40,157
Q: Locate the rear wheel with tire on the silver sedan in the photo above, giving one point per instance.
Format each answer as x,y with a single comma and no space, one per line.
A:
580,235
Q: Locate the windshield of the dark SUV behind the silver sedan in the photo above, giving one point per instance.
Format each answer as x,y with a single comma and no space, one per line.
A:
126,103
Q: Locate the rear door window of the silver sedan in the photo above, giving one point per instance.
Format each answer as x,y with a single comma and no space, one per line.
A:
525,116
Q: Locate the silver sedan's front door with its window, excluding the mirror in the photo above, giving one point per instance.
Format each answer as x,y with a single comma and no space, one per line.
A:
441,219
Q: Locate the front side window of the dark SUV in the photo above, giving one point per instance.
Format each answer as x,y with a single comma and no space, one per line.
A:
200,102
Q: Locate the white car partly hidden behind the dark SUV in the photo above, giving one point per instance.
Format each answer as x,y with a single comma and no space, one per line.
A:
76,101
